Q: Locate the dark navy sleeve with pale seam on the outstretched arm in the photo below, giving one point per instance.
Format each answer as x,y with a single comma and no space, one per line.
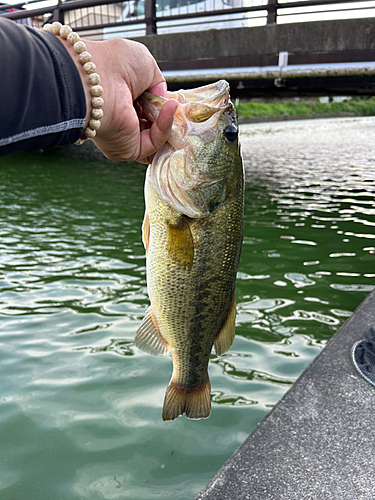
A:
42,101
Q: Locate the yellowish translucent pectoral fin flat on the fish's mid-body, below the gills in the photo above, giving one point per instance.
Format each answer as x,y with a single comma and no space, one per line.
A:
180,242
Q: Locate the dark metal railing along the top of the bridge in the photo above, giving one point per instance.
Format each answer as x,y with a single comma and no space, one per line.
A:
106,18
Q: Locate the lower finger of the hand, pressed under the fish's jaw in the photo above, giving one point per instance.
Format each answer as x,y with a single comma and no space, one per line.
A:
153,139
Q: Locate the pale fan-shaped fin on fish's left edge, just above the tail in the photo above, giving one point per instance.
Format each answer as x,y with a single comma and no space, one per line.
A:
148,336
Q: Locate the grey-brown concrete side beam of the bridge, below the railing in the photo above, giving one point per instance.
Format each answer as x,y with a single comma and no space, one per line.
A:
326,41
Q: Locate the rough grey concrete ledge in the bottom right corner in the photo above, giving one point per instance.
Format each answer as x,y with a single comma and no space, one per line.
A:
318,443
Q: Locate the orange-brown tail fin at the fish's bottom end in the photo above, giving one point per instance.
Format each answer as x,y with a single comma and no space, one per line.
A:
195,402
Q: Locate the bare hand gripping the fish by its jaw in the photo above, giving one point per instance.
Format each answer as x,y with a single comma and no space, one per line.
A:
126,70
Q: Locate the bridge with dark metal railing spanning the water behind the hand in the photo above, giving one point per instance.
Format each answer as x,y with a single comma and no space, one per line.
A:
257,48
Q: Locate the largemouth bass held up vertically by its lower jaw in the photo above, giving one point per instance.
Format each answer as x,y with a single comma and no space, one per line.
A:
192,232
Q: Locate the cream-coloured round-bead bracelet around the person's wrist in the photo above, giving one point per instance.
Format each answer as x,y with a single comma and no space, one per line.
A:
96,90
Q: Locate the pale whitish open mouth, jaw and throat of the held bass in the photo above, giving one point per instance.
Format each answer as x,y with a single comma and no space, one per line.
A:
175,172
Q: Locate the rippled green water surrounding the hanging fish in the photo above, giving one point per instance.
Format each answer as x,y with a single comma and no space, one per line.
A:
80,406
